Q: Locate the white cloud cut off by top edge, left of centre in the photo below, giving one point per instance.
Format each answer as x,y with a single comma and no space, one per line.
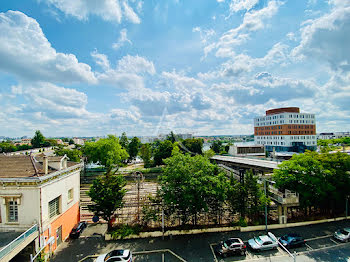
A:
108,10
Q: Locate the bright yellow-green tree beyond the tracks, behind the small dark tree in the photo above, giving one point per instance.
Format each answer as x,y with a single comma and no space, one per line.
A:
107,152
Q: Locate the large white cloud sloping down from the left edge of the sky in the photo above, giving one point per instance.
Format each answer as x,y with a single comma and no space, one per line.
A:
26,52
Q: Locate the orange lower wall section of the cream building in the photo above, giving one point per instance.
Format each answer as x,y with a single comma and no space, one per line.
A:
67,220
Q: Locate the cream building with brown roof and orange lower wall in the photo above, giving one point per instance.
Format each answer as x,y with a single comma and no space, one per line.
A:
38,191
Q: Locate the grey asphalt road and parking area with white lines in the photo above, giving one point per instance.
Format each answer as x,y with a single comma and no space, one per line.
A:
320,246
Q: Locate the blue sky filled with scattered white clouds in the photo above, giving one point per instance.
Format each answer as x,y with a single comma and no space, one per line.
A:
206,67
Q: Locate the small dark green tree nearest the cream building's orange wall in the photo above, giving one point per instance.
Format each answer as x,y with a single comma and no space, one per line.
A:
107,194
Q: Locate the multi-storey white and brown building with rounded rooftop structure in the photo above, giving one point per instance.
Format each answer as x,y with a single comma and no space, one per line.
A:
286,130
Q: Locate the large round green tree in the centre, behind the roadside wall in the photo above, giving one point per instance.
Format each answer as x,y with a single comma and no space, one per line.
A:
190,185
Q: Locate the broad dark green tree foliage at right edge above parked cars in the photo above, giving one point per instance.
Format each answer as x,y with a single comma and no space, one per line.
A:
322,180
